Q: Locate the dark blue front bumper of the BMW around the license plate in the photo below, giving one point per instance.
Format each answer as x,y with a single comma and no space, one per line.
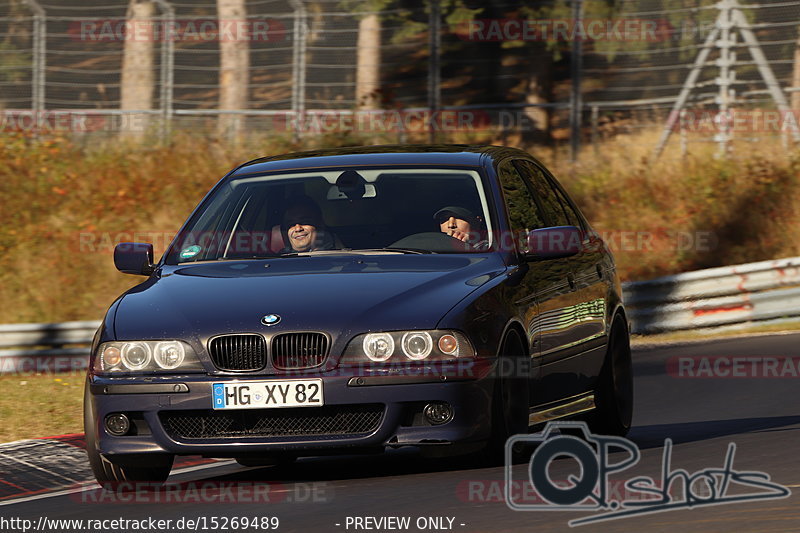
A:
152,401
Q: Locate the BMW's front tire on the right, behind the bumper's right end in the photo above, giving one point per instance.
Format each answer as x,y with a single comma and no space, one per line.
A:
510,400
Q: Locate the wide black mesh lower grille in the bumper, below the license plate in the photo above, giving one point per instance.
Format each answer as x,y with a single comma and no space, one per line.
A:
292,422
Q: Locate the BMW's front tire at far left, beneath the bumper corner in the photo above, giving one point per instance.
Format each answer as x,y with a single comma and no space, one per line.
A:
125,471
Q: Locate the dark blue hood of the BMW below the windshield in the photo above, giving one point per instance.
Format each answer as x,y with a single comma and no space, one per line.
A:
338,294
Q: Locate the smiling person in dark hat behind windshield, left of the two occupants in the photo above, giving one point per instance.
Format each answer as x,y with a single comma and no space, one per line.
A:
303,227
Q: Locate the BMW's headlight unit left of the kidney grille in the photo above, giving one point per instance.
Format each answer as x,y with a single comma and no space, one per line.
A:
145,357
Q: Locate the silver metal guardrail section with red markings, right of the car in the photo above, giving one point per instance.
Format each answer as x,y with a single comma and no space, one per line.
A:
715,297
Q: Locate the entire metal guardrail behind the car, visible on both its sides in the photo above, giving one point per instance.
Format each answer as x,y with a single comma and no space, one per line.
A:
704,298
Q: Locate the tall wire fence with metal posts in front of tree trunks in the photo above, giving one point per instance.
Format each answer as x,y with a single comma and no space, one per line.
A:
440,70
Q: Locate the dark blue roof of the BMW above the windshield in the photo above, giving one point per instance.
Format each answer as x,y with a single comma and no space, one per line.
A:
417,155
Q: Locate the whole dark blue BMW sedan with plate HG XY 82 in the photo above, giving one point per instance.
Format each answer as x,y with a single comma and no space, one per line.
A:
354,300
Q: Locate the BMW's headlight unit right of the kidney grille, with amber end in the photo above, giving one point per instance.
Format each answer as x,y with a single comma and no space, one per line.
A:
406,346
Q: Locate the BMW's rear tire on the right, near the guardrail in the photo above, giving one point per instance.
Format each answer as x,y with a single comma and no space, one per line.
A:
614,390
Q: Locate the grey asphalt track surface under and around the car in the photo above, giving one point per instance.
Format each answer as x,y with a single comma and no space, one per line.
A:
700,415
